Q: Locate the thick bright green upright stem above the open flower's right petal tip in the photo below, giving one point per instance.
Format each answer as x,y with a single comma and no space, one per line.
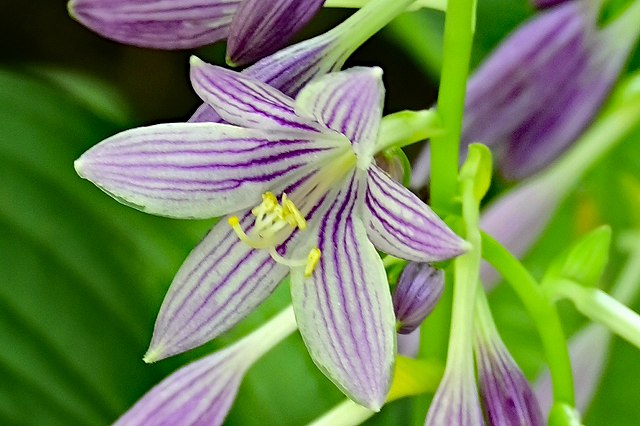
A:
458,39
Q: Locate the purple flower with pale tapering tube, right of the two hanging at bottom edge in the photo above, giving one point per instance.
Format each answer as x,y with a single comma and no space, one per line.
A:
506,396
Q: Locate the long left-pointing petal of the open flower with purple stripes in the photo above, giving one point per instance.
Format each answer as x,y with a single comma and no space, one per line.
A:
199,170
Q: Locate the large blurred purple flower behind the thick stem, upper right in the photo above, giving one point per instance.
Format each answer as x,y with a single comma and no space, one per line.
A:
541,88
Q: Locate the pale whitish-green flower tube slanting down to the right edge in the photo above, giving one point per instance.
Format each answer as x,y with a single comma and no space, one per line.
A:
598,306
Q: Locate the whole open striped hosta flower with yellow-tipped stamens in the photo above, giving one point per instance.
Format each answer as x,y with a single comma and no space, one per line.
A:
302,193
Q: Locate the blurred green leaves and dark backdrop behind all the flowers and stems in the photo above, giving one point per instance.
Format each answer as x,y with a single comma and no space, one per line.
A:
82,277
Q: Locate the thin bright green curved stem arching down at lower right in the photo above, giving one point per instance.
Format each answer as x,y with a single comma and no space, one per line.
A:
543,312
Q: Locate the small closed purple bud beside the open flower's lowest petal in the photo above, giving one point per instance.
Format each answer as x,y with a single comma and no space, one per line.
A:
418,291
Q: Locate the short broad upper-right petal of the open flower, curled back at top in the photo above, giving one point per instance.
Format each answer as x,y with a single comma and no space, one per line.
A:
349,102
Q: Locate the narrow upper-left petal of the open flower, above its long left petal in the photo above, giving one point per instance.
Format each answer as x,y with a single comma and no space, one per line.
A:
244,101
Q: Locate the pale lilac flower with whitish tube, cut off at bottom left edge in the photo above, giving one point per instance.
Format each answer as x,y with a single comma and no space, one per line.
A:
202,392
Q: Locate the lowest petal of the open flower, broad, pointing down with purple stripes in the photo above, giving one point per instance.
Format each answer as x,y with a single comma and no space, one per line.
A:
344,309
